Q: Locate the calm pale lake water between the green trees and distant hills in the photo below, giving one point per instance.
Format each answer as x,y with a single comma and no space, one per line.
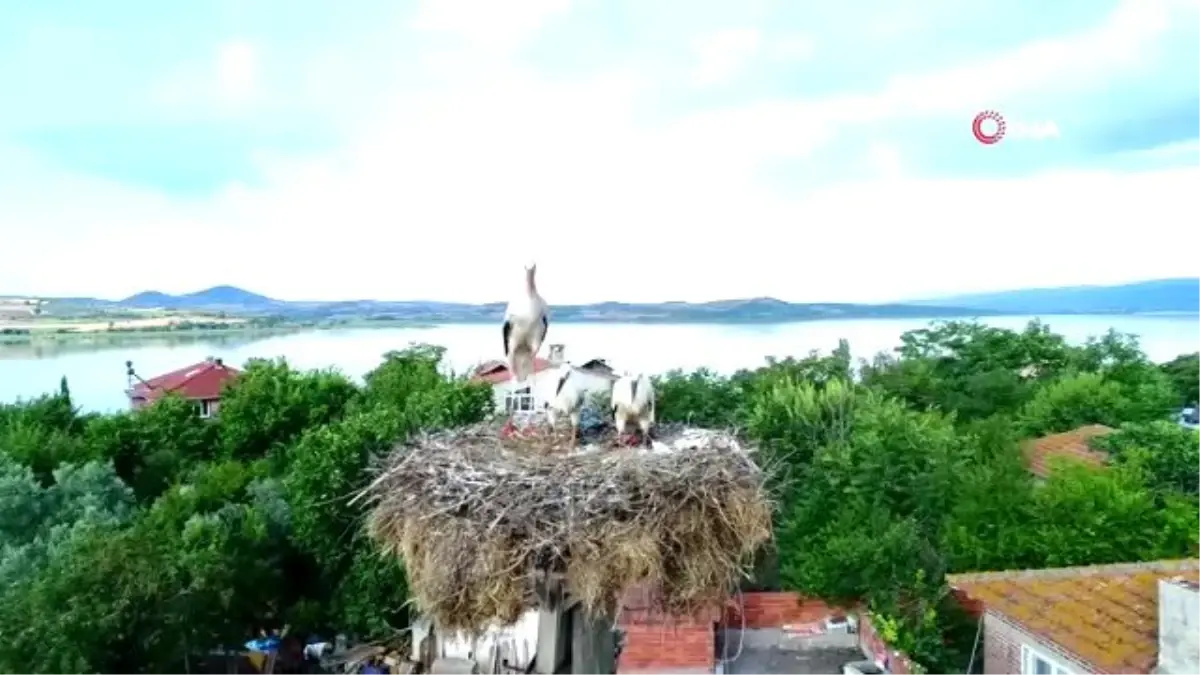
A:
97,373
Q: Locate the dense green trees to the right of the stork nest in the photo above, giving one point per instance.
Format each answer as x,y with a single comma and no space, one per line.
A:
913,468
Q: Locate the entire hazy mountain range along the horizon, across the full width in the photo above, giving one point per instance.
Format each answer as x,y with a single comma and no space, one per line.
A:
1180,296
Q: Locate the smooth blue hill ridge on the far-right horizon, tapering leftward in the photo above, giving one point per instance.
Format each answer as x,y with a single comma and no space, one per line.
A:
1144,297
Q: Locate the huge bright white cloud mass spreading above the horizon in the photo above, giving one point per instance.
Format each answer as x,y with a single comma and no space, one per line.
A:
446,192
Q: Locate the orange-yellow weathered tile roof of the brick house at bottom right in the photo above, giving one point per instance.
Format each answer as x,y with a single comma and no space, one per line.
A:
1105,616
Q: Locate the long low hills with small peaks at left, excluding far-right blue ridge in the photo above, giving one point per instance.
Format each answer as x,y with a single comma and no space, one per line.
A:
233,301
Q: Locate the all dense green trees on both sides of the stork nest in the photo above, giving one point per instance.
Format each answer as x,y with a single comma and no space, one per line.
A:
129,541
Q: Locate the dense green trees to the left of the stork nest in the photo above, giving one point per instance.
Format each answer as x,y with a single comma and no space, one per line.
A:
133,540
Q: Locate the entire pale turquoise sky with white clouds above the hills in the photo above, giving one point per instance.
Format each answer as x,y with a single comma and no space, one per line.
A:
638,151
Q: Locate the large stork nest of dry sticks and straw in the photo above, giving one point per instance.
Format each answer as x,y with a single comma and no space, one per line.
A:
483,522
